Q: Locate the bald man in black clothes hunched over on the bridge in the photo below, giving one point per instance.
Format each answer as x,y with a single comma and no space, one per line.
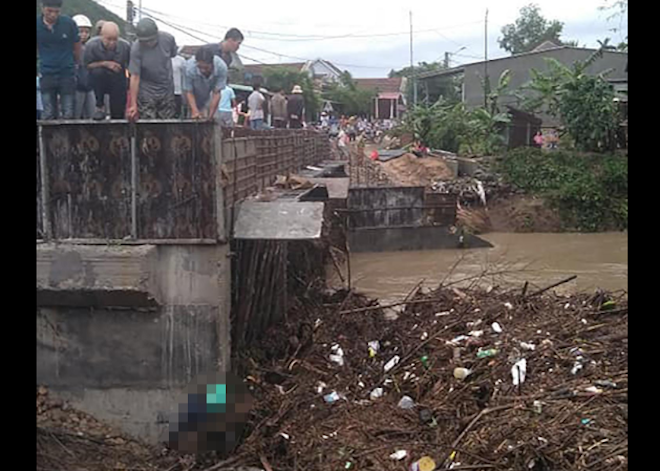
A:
107,57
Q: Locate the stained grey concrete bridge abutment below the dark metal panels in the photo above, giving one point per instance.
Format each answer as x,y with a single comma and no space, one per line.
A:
129,365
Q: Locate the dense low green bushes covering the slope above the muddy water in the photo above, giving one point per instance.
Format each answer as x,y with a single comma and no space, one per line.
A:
590,191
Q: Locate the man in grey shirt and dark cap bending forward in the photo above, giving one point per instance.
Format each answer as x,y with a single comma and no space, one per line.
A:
152,80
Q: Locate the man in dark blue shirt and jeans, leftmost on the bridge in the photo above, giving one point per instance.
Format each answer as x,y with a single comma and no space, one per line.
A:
59,49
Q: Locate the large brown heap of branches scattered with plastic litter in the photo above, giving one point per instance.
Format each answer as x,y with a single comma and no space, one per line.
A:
458,380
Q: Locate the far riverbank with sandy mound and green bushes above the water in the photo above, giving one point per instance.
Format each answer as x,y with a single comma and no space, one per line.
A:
525,190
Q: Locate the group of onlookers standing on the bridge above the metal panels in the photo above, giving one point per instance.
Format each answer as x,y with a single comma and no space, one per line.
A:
88,71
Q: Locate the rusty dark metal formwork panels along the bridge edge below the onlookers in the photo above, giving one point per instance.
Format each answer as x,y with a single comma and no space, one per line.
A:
156,181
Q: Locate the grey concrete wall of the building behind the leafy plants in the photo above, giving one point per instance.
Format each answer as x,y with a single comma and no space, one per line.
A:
520,75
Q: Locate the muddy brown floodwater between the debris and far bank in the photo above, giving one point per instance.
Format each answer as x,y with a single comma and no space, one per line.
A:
598,260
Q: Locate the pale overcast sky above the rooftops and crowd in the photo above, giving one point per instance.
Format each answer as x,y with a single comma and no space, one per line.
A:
368,37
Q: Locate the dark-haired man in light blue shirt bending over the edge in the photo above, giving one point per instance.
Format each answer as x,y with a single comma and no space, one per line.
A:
205,78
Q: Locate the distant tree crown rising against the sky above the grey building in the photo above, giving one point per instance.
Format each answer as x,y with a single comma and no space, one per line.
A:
529,31
